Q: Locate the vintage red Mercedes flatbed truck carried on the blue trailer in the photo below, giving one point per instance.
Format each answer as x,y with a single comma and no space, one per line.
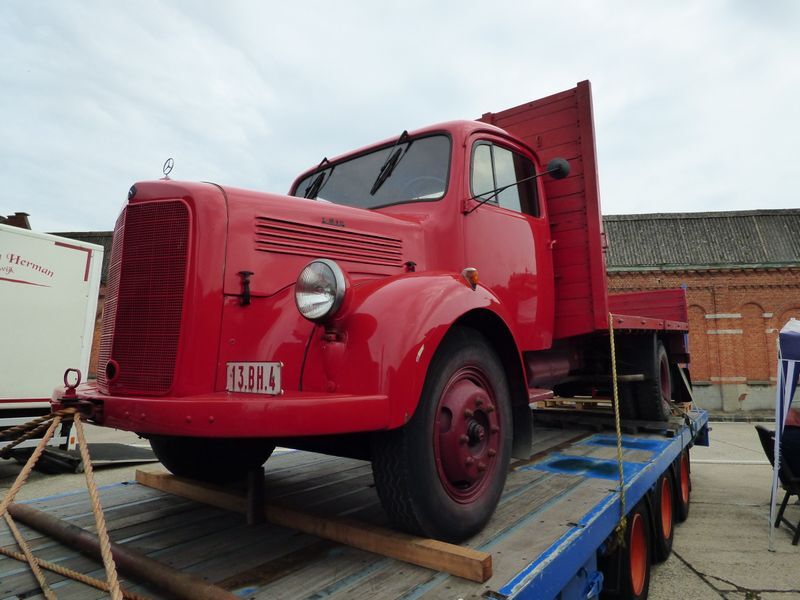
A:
404,303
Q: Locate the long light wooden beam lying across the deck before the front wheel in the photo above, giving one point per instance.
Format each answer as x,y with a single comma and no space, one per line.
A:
464,562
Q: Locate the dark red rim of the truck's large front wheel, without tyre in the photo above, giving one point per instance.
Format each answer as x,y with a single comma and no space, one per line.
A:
466,434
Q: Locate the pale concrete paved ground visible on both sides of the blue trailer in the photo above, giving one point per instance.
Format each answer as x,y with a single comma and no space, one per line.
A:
720,552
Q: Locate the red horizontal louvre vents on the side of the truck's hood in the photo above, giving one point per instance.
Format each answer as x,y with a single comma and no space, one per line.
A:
289,237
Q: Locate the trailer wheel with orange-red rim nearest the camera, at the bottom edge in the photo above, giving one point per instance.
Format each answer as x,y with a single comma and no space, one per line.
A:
633,559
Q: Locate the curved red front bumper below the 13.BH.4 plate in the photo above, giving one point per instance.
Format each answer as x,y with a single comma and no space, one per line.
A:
224,414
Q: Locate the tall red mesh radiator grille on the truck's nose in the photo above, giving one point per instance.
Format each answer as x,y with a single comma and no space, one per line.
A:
144,298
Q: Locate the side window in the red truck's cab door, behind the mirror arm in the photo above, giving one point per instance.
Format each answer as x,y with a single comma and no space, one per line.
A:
495,167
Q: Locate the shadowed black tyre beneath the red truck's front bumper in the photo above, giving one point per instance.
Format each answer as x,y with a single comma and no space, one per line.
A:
215,460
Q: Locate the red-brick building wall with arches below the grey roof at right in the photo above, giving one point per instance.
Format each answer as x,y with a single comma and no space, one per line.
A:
734,319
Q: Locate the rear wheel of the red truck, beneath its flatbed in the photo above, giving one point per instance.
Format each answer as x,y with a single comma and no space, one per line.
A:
654,395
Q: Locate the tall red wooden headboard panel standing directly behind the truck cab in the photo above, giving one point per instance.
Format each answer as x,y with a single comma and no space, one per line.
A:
562,125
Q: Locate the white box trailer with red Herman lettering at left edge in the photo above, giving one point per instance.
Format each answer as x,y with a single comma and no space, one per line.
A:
48,301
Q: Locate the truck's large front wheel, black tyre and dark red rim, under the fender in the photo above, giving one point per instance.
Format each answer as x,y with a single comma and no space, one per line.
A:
442,474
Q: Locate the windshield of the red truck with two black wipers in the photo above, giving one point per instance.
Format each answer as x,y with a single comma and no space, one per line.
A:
417,172
